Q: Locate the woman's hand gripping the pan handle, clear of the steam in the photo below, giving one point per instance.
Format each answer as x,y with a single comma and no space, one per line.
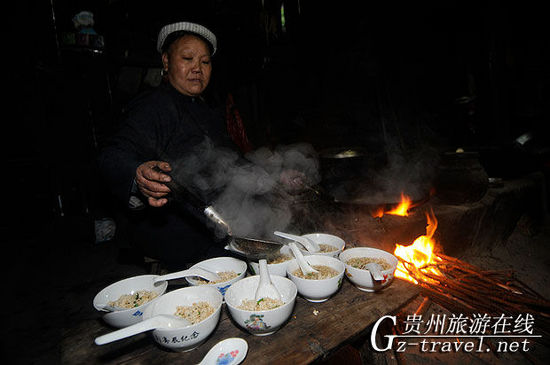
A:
150,181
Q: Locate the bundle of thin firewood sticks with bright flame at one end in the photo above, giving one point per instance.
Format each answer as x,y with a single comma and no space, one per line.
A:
465,288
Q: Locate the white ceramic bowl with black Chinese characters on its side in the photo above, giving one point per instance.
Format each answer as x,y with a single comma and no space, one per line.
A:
186,338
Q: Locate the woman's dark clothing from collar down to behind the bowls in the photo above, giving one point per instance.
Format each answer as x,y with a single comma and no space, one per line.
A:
166,125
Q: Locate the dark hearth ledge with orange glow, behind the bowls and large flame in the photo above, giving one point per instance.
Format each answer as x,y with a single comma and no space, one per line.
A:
469,226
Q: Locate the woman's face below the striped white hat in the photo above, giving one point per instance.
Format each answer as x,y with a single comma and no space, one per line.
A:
188,65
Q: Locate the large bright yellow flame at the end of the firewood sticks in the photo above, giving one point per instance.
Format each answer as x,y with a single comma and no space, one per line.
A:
420,254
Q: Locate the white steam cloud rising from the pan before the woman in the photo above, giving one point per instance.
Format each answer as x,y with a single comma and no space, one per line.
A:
247,192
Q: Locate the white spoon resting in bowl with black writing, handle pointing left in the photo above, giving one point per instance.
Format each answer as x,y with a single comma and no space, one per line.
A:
160,320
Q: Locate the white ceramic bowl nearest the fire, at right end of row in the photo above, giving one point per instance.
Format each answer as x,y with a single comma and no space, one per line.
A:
362,279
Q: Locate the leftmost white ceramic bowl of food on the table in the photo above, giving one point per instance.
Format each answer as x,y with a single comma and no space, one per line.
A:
127,317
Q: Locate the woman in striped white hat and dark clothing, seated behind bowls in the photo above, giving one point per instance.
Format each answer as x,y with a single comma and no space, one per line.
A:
160,128
